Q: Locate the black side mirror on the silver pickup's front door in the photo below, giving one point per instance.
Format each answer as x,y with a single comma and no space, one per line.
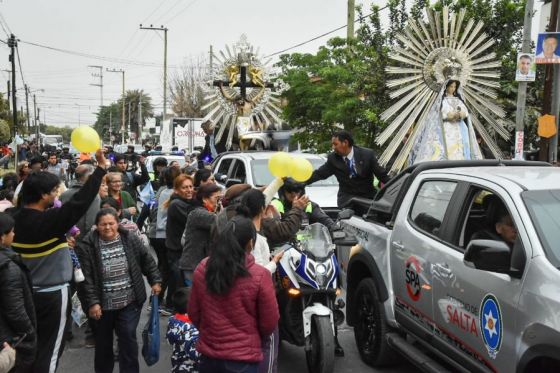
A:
489,255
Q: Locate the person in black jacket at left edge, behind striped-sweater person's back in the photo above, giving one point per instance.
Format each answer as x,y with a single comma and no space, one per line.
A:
17,313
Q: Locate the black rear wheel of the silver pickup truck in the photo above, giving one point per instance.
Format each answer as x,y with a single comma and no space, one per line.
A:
371,327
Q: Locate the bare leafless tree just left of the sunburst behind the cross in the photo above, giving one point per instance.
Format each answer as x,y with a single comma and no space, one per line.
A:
187,97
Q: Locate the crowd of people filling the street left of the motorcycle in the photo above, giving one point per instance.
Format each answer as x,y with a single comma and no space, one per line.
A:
87,234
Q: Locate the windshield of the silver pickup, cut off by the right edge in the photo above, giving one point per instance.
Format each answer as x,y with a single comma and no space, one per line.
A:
543,206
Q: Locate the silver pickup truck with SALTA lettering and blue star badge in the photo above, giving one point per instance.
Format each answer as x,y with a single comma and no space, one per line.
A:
440,261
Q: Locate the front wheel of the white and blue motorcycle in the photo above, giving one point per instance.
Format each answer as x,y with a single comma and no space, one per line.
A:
320,358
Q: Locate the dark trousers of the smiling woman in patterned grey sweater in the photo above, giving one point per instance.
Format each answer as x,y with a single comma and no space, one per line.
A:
124,322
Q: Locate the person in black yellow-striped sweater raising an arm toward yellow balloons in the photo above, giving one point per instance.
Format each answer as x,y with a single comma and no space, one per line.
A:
40,239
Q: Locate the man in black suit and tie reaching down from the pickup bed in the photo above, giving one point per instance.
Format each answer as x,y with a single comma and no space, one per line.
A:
353,167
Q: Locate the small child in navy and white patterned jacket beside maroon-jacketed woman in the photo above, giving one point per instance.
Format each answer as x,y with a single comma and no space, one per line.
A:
182,335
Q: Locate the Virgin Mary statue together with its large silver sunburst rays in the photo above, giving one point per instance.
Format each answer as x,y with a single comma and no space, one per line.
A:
442,87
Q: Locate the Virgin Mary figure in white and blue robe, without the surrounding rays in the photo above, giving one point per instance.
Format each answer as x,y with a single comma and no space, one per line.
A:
448,133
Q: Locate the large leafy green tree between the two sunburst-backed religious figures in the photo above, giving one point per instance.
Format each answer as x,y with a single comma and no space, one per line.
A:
341,85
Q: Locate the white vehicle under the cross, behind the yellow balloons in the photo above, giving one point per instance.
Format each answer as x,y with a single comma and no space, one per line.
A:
252,168
